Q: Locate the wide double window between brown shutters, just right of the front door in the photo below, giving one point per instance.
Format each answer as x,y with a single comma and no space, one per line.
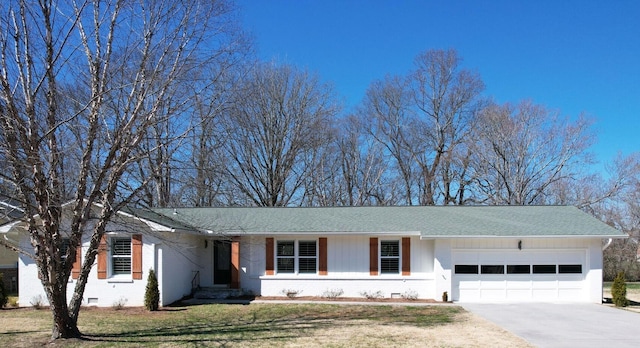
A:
300,257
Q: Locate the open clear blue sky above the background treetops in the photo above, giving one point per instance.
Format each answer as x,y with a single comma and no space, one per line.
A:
572,56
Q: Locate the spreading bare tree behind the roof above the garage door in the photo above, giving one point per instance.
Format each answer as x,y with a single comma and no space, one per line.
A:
522,151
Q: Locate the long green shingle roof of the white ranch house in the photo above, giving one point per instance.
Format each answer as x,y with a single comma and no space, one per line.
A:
428,222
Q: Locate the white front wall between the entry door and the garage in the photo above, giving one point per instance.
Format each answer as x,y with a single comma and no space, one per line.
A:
347,269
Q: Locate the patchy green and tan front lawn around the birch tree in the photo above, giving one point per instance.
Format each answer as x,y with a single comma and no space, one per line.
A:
214,325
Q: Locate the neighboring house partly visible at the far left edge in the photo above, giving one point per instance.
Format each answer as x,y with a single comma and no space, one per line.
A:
9,211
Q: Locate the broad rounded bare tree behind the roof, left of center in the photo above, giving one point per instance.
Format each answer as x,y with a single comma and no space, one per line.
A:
276,129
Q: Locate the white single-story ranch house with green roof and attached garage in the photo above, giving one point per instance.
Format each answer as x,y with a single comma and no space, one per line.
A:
474,253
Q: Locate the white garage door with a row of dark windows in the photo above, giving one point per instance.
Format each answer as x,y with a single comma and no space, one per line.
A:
512,276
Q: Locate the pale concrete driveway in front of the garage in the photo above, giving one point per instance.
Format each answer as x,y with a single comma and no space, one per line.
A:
564,325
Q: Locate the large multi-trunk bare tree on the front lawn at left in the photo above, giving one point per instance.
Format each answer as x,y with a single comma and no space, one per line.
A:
116,63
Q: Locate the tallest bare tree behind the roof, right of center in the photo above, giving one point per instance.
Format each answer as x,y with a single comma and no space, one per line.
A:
447,98
